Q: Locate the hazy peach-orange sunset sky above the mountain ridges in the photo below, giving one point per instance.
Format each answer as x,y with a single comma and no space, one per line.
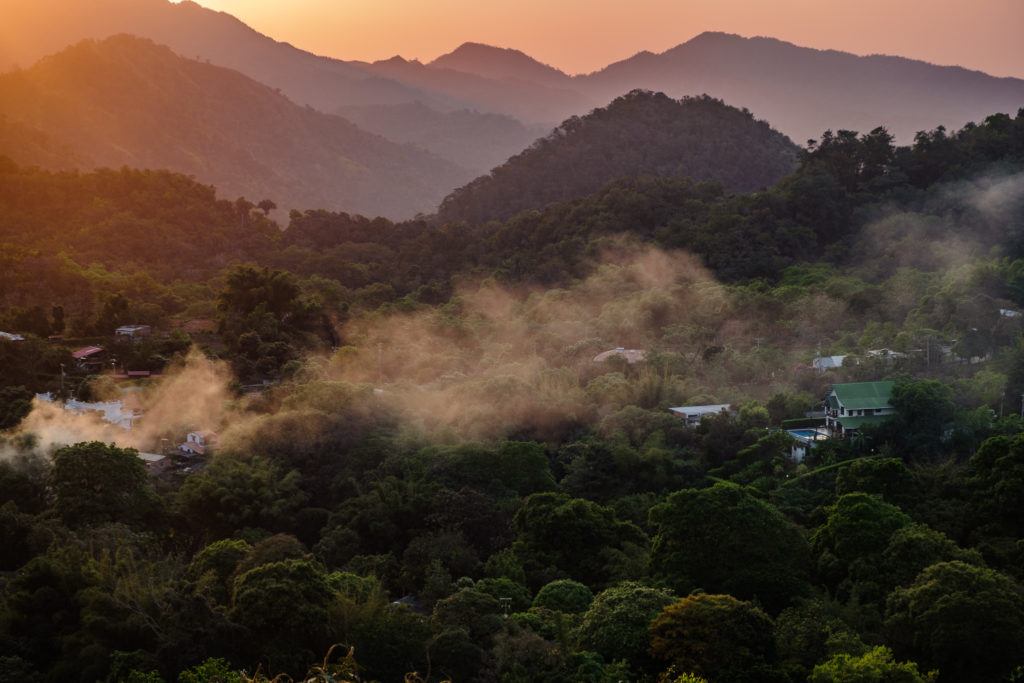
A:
584,35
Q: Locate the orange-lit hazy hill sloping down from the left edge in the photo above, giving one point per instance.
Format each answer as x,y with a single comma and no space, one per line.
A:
129,102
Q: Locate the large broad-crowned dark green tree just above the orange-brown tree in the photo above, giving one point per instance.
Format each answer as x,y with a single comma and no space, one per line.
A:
724,540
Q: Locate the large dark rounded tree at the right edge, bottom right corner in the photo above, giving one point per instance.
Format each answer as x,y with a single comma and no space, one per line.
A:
968,622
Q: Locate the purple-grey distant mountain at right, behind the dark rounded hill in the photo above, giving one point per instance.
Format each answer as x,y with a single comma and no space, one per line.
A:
804,92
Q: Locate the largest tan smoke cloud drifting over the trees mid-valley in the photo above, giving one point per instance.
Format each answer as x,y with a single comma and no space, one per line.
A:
499,356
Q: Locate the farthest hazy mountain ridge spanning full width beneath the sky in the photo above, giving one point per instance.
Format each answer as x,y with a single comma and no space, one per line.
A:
802,92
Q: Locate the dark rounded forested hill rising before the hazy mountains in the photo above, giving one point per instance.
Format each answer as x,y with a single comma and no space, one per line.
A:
639,135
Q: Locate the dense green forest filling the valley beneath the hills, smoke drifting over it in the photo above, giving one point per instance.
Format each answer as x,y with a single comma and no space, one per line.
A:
440,475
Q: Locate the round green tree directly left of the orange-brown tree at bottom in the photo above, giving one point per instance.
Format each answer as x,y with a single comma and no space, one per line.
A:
617,625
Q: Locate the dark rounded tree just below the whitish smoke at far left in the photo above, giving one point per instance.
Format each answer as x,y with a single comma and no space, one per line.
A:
94,484
